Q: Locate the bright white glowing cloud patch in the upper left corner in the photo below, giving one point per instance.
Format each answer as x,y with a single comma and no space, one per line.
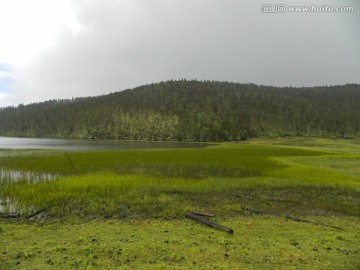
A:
29,27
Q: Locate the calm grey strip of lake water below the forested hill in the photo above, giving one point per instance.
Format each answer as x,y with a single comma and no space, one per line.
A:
31,143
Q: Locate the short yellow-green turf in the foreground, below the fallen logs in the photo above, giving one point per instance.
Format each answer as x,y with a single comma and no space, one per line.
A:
261,242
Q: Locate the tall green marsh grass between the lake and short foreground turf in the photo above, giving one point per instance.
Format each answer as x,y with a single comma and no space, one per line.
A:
168,182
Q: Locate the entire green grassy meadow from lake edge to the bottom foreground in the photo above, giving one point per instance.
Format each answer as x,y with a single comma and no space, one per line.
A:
125,209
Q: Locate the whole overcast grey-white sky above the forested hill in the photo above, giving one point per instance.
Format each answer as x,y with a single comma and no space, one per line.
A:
55,49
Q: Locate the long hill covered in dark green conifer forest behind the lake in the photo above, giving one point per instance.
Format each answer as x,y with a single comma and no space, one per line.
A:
192,111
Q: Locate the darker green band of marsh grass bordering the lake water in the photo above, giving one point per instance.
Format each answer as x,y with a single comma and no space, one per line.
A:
225,160
